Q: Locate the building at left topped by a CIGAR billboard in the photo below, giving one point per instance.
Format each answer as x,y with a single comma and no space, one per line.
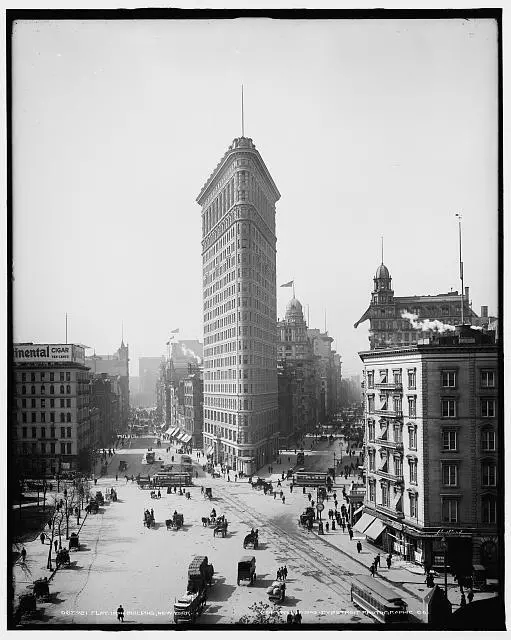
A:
51,426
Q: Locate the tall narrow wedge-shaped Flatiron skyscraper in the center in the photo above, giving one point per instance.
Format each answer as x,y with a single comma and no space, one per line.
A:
239,294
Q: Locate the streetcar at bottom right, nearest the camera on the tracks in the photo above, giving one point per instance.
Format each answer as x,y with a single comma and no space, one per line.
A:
378,600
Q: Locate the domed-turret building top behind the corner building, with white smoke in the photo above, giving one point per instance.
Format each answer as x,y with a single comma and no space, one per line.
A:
388,326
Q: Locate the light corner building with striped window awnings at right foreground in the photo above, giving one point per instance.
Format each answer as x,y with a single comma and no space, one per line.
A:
431,433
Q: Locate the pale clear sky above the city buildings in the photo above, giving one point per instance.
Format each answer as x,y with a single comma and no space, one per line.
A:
369,128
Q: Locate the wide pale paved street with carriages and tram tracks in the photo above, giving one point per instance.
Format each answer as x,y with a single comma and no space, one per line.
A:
122,562
